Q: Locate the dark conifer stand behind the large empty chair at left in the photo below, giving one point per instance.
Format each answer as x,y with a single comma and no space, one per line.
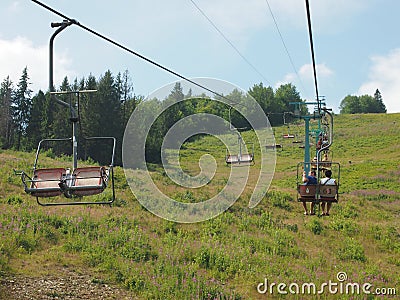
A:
25,120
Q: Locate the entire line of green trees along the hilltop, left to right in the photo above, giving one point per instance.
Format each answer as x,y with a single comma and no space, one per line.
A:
25,119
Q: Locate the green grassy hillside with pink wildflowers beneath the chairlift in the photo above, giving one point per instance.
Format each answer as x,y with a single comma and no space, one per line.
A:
228,256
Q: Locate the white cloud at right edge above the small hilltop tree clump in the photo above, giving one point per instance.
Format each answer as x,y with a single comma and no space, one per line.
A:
384,74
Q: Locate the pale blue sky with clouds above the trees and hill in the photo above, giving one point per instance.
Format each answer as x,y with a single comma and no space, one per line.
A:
356,43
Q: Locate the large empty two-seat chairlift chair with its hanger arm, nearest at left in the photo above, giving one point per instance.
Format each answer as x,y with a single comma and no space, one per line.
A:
75,182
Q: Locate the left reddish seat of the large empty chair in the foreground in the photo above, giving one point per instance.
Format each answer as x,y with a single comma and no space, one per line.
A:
46,182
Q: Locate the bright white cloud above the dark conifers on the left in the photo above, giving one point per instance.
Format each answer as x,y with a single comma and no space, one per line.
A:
18,53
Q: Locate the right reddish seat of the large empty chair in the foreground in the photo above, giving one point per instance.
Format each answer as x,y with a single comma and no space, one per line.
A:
89,181
